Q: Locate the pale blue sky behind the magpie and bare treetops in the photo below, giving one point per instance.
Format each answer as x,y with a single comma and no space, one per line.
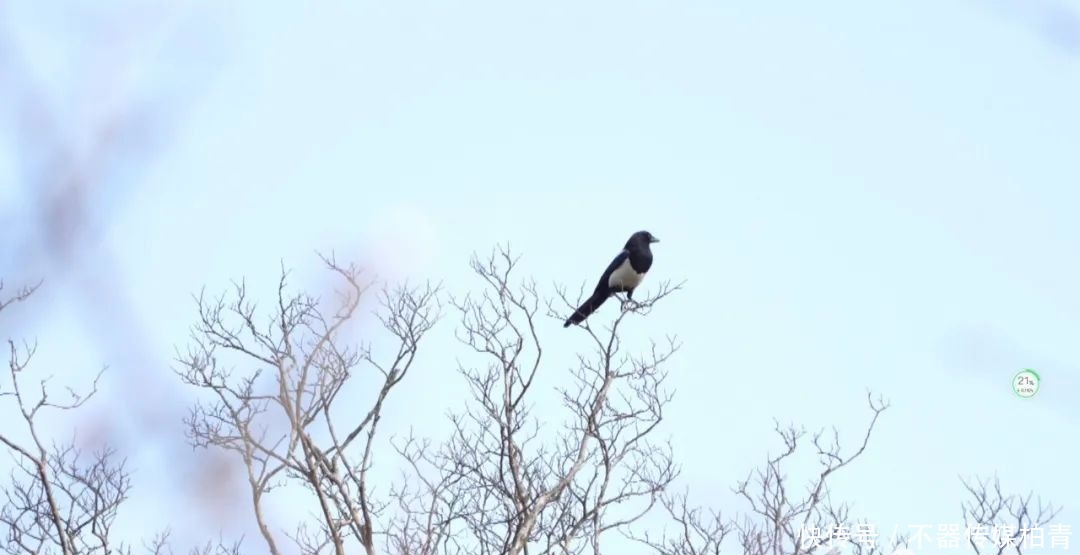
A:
860,196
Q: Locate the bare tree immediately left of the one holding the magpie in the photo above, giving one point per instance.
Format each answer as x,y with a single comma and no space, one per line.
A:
279,415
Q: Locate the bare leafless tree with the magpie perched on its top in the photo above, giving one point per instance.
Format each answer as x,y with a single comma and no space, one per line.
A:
508,482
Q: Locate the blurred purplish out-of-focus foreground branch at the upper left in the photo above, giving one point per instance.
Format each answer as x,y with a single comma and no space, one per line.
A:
79,145
